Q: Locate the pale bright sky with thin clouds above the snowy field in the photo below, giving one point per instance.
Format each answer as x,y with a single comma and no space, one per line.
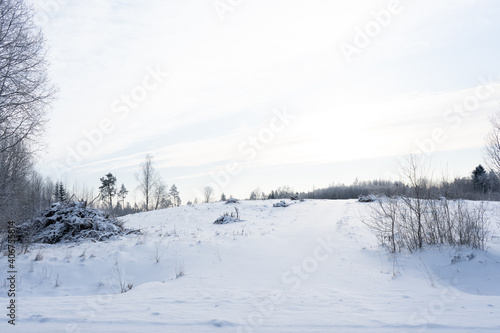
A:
239,94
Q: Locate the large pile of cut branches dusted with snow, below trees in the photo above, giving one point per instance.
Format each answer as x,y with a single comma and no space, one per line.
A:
68,222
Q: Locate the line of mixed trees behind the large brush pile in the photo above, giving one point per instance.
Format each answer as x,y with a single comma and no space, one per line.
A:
24,193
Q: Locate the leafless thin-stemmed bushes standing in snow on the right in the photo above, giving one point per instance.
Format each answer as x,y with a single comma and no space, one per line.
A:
457,223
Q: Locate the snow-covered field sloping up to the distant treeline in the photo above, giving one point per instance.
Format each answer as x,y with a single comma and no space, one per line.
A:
309,267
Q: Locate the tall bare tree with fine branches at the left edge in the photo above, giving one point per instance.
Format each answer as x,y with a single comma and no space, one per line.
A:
25,93
